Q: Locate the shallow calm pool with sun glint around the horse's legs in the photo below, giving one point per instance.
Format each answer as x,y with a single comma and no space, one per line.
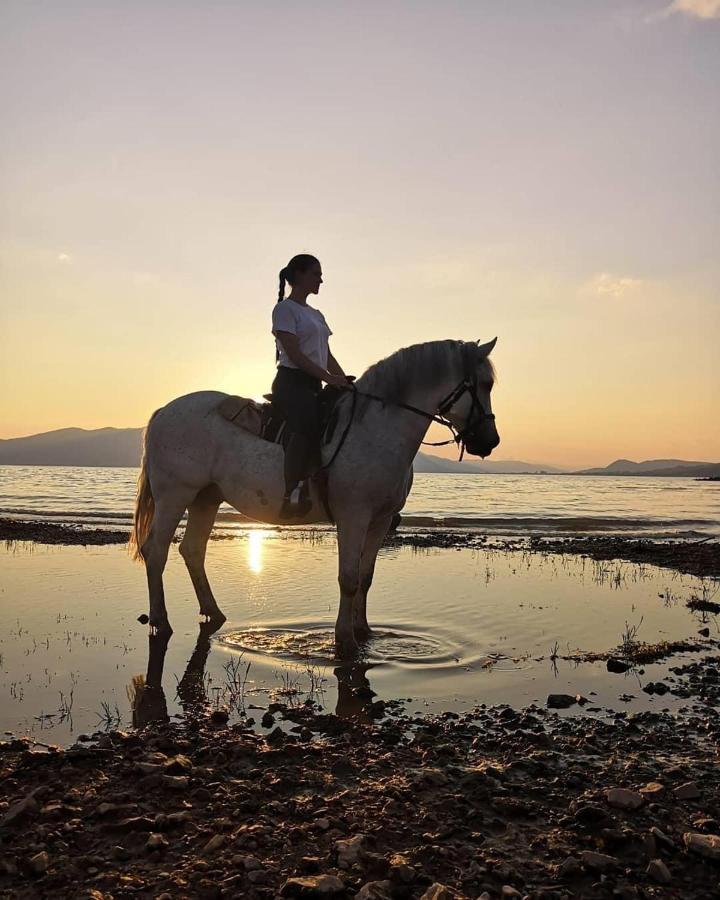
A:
453,629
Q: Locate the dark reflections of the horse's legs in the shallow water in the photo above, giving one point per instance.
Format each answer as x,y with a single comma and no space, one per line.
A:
149,703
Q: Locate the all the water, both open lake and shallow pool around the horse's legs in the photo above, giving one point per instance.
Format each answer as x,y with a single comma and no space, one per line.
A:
454,627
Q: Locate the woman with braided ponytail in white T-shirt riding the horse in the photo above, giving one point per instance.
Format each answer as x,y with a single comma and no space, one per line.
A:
304,362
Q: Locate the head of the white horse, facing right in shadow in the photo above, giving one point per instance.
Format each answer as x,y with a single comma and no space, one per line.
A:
472,413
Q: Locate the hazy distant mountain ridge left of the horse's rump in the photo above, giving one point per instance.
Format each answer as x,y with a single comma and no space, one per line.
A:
74,447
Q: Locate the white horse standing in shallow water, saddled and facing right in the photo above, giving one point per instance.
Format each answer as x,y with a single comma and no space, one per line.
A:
193,459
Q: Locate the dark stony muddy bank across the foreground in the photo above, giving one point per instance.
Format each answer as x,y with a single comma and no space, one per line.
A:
495,803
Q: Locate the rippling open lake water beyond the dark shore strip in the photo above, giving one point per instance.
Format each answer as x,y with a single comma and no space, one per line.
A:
659,507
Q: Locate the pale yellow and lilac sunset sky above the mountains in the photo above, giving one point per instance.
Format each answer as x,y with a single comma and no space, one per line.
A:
546,171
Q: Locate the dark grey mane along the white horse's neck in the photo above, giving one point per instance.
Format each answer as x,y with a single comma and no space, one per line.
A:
414,366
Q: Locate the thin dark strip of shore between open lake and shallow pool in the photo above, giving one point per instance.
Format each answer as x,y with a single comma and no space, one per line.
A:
693,557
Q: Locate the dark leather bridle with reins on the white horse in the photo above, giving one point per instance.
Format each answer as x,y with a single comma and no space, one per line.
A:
468,385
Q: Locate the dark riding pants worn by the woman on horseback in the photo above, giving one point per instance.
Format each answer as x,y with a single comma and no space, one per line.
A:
295,395
